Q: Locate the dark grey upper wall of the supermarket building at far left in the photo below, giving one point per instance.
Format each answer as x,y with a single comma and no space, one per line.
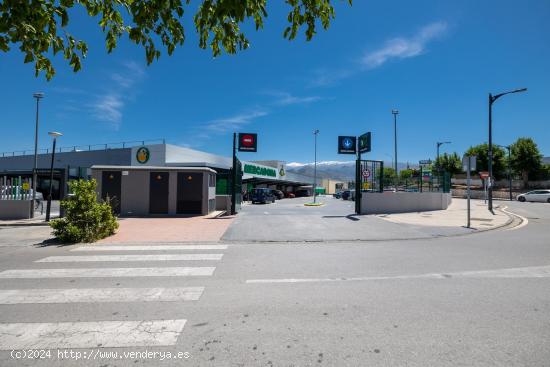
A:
121,156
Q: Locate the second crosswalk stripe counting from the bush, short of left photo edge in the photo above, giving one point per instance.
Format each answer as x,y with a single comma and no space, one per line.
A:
110,258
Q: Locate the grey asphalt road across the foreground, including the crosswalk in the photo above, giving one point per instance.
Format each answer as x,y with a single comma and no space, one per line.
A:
476,300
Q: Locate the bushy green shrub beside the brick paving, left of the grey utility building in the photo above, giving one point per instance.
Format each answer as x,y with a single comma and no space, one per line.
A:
86,219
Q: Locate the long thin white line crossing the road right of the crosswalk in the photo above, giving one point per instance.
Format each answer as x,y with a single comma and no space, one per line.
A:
527,272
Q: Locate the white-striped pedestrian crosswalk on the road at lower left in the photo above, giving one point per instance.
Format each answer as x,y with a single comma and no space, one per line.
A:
81,333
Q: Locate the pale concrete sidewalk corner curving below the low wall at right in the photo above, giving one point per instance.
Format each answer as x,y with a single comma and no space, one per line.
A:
455,216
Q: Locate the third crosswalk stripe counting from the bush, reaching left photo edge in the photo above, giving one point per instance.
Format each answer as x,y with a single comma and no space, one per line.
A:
107,272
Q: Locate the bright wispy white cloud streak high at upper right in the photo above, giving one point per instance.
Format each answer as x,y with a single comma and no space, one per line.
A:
402,48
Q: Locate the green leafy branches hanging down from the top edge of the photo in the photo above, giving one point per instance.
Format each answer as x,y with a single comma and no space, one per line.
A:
39,28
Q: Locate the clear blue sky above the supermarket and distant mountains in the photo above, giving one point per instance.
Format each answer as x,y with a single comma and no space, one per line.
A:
435,61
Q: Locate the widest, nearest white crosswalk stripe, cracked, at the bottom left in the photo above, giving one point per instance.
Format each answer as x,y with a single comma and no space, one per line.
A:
104,334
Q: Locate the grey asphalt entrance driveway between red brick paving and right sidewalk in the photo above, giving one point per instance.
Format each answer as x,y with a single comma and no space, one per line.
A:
289,220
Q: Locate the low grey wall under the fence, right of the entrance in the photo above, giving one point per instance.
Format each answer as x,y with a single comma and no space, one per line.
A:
403,202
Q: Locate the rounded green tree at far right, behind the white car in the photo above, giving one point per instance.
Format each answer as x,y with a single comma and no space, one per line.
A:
526,158
